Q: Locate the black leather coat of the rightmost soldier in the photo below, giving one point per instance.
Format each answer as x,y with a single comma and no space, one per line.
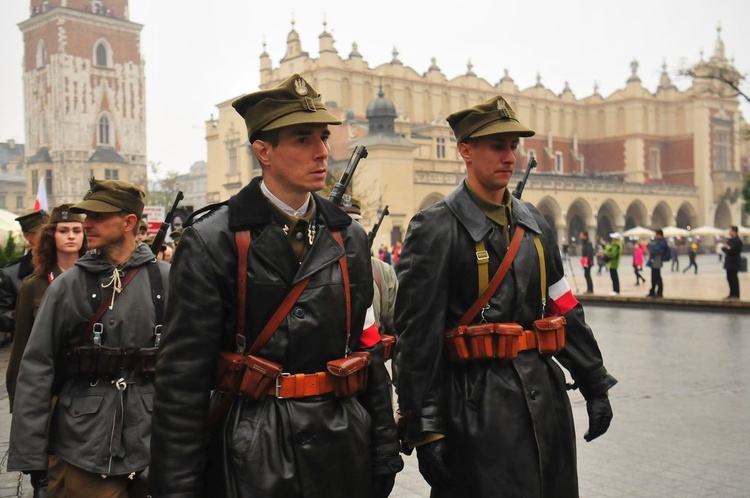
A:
508,424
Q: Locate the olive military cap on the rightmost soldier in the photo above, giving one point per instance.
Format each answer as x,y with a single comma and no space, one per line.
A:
489,118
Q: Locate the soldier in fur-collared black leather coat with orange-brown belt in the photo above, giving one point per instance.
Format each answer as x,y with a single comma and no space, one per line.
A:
312,443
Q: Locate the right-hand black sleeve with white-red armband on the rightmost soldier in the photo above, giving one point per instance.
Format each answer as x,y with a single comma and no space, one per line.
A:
581,355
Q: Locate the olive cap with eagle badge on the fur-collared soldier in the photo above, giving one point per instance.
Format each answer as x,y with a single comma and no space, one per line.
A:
293,102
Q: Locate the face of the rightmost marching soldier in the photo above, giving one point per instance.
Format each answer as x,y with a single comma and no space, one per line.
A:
490,161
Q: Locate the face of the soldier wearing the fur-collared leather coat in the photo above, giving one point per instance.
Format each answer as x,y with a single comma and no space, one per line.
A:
299,163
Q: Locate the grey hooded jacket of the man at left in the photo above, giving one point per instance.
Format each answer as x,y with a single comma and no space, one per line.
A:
94,426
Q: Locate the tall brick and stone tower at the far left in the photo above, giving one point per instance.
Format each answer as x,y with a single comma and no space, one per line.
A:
85,102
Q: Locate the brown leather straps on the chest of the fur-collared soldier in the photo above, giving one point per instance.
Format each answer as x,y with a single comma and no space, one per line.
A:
243,241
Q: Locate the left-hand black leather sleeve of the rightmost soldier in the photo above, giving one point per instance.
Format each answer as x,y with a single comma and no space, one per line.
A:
423,272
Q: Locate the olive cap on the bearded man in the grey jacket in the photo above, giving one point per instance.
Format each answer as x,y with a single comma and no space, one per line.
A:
111,196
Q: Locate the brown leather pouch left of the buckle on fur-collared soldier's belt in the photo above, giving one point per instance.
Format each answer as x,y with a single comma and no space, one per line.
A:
251,376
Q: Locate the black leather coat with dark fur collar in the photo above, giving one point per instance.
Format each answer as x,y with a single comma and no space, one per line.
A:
307,447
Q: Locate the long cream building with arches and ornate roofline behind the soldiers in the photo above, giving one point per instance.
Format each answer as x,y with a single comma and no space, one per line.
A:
635,157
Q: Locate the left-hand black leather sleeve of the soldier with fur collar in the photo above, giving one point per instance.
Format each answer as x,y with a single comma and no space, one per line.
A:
194,324
